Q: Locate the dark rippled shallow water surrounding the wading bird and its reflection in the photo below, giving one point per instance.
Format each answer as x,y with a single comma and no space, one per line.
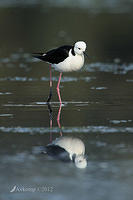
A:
97,102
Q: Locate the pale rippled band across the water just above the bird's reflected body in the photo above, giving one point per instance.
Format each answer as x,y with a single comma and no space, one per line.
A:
85,129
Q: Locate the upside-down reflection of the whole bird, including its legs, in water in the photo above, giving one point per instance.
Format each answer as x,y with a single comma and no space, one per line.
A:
66,148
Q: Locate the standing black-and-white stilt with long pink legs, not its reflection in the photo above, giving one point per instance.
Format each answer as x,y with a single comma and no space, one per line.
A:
66,58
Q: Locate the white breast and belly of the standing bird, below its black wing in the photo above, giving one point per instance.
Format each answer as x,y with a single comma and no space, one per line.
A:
72,63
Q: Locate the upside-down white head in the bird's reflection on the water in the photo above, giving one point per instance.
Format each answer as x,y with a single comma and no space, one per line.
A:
80,161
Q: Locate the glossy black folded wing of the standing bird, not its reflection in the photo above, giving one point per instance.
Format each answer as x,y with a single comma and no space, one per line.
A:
55,56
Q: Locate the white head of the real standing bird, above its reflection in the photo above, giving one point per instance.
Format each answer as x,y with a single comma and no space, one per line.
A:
79,47
